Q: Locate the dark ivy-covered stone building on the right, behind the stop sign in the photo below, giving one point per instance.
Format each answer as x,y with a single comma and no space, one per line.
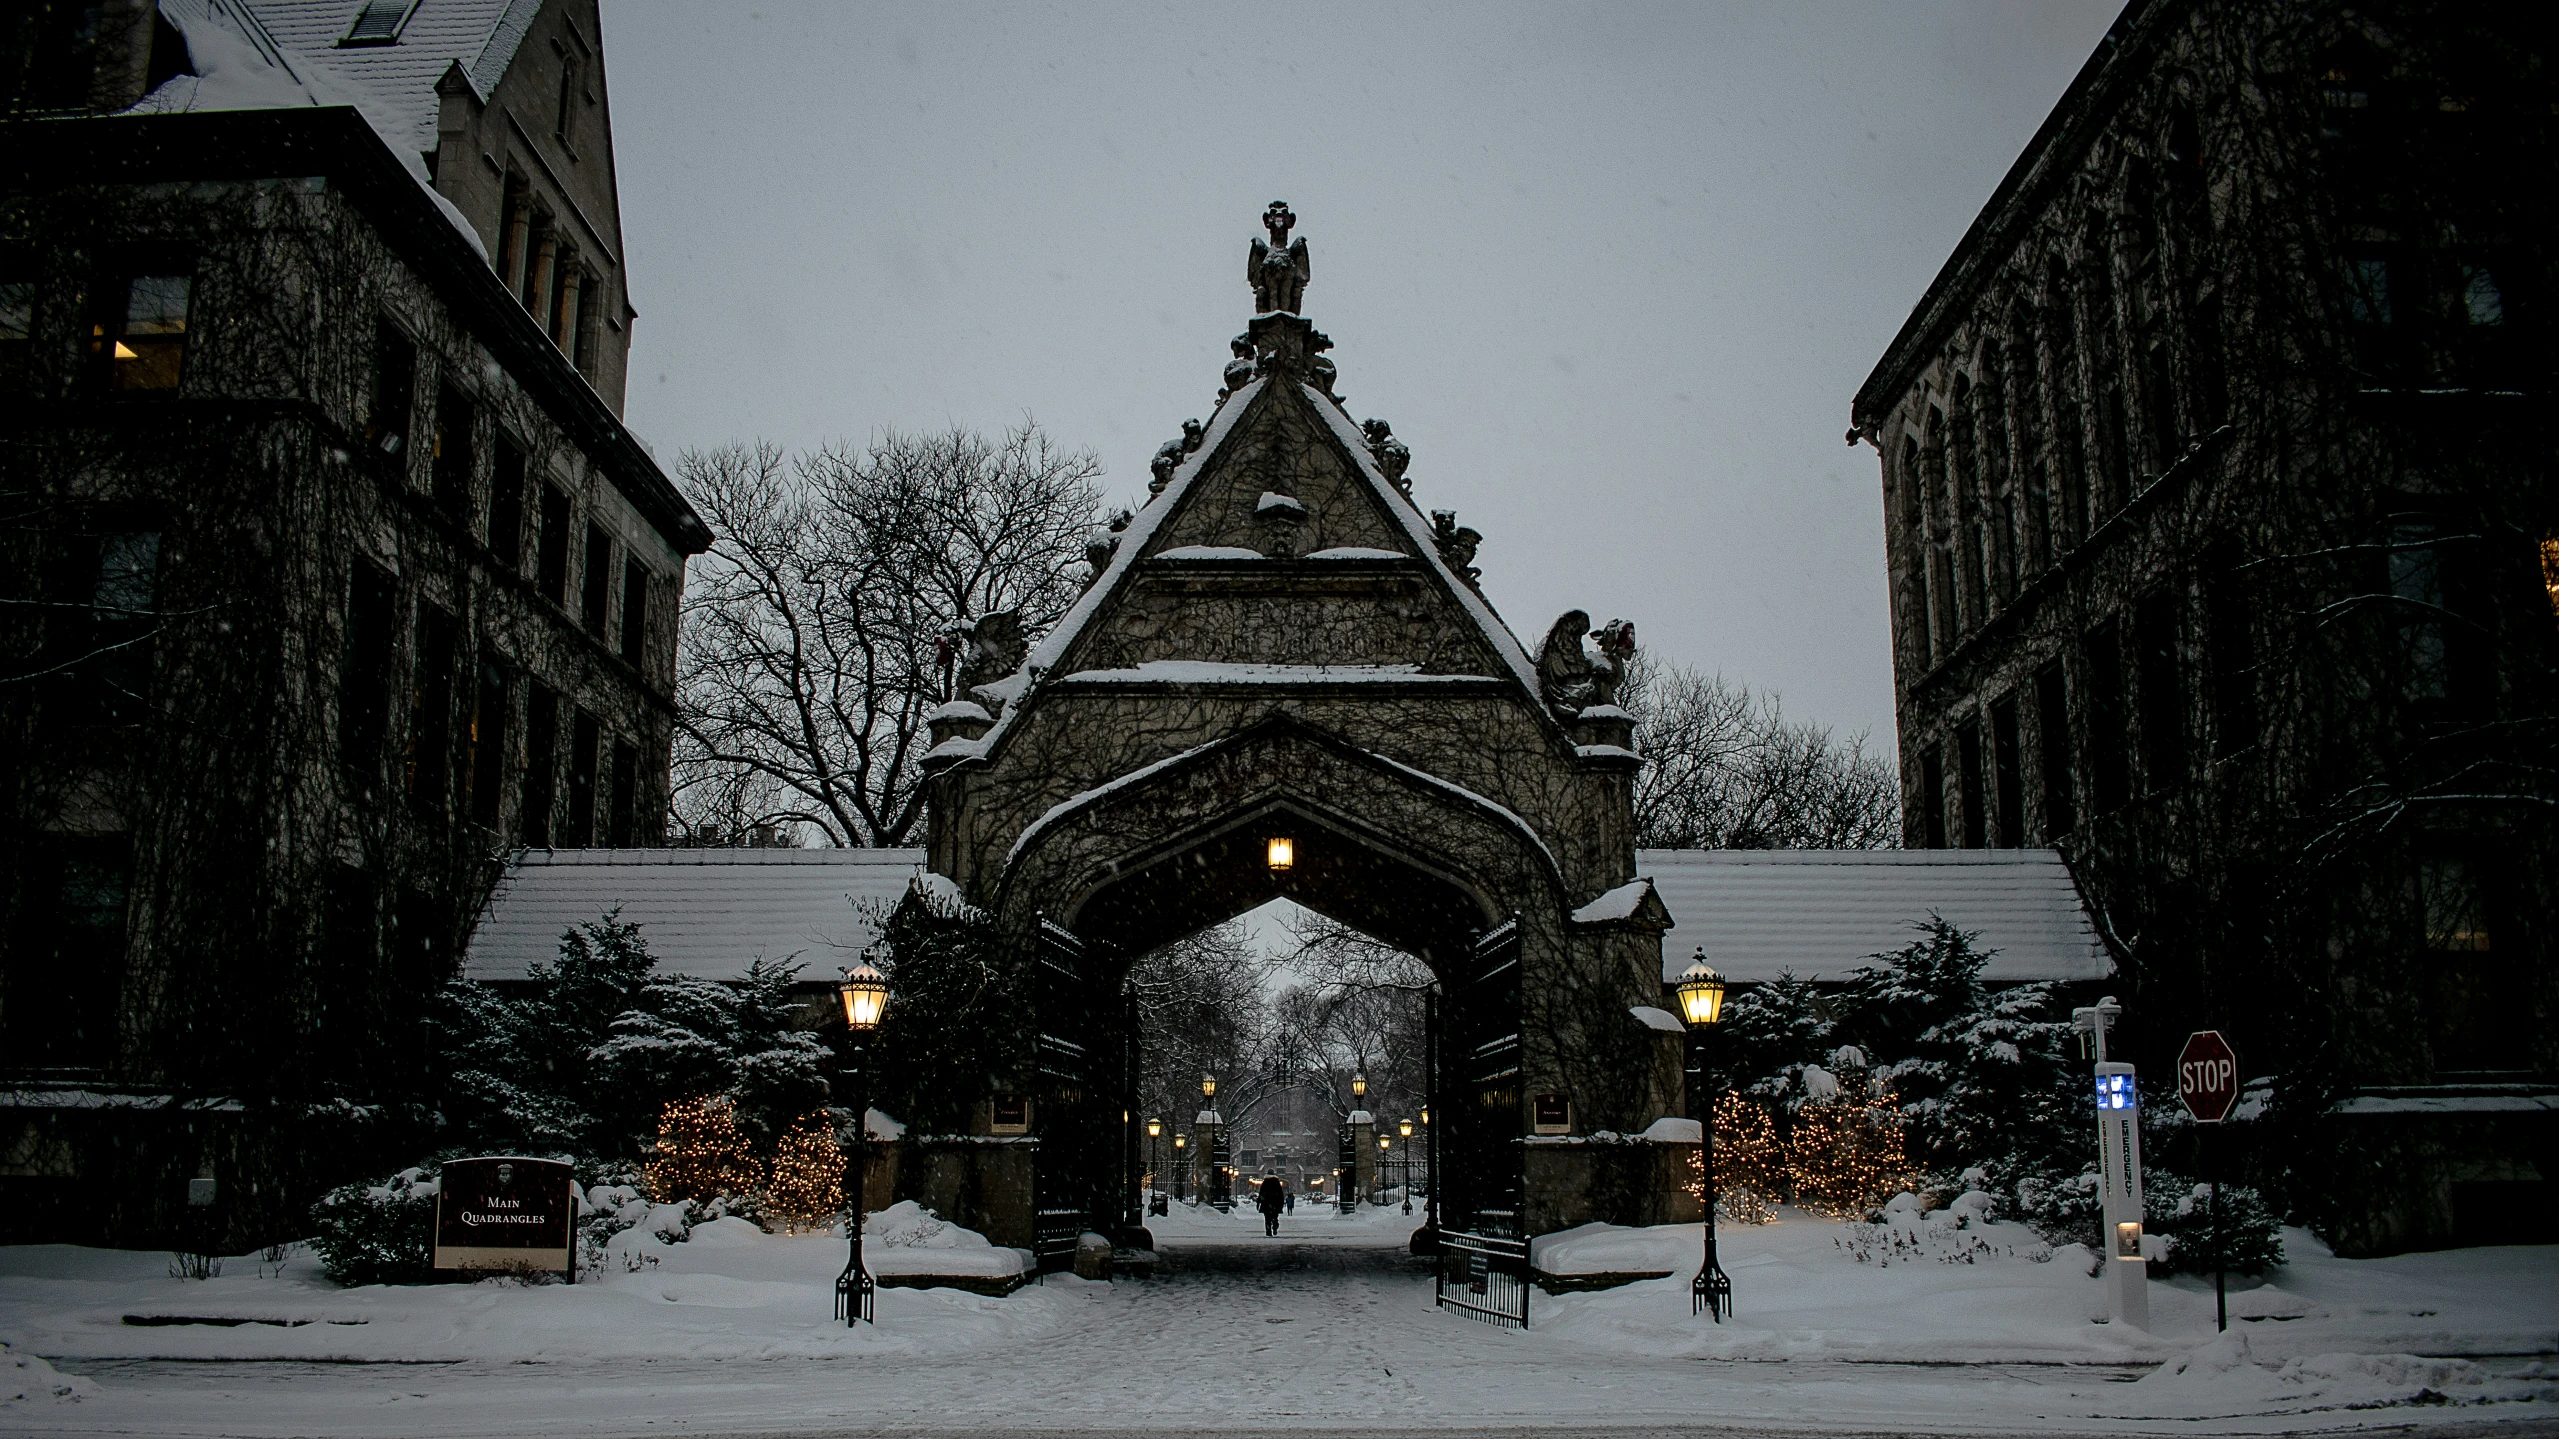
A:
2225,557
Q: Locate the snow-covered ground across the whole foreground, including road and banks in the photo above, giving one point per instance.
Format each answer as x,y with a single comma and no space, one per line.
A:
1327,1328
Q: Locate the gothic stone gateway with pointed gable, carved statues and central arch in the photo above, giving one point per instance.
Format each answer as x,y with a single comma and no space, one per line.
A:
1281,644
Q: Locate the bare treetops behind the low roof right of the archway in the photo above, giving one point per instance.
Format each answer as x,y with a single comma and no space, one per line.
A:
1729,769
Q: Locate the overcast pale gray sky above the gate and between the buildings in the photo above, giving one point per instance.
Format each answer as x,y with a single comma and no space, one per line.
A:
1611,270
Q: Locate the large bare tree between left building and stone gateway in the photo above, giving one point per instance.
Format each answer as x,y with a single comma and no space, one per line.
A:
812,629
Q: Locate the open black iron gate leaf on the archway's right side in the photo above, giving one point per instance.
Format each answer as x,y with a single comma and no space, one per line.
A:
1483,1248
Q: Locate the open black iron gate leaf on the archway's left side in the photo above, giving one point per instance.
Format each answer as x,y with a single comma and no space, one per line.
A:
1063,1072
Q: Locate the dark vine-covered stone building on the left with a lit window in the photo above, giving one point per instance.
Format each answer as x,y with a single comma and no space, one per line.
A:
334,572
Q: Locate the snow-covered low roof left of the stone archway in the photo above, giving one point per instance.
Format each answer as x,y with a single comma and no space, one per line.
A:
702,913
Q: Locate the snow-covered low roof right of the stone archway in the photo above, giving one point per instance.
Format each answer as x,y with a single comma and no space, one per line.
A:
1823,913
